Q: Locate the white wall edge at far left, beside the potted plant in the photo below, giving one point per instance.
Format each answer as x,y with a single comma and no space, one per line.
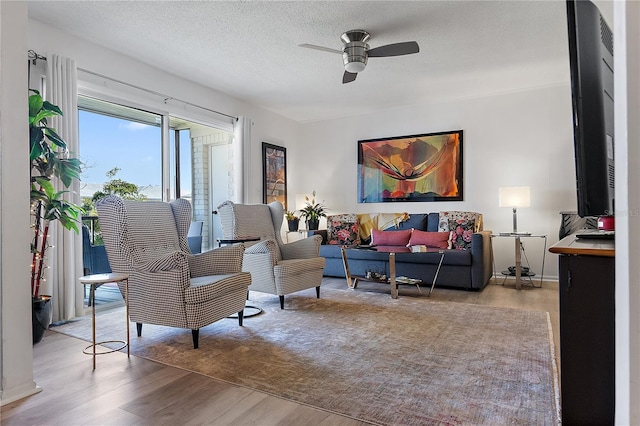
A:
16,344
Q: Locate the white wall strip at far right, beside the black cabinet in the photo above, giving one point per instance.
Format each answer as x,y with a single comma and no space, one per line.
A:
627,150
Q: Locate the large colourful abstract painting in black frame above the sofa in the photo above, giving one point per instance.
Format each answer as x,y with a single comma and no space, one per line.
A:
425,167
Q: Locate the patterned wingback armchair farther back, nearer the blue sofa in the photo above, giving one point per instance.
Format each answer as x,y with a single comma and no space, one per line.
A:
275,267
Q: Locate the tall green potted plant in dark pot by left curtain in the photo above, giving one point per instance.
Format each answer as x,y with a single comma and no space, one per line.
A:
49,162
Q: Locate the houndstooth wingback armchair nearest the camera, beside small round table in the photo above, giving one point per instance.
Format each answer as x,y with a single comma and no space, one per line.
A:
167,284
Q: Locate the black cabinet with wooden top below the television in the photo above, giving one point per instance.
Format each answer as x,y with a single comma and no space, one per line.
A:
587,330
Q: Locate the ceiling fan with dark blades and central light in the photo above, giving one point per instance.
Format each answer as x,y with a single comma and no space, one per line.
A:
356,52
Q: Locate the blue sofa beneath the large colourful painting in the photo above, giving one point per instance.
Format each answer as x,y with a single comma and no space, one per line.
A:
469,269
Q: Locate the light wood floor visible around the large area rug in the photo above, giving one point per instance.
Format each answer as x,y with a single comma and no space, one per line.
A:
125,391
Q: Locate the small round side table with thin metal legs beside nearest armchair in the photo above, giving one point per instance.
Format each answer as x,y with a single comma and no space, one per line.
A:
93,281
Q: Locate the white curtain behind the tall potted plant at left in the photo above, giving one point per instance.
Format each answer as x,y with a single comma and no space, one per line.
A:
65,257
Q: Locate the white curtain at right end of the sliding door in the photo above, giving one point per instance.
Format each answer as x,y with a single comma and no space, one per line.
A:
242,159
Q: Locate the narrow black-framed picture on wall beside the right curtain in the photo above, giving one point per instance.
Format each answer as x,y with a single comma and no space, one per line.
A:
274,168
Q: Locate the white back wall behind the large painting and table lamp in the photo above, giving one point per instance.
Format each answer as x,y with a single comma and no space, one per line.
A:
511,139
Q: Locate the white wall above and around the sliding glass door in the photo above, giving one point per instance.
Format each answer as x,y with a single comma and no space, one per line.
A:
267,126
